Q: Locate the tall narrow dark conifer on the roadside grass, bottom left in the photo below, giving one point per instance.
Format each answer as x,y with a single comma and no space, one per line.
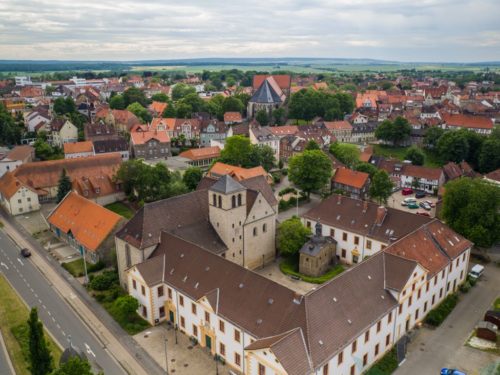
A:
40,359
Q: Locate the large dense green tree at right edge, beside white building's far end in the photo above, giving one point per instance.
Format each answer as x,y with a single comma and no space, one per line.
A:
472,208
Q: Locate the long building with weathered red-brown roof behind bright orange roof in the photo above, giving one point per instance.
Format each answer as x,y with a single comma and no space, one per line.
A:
92,177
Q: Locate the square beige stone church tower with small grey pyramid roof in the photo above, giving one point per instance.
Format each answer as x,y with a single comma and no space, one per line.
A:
227,213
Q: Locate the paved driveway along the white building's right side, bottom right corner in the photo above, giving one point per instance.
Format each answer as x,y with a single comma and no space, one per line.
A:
431,350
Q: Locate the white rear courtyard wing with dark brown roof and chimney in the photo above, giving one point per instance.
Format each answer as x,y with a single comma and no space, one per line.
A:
361,228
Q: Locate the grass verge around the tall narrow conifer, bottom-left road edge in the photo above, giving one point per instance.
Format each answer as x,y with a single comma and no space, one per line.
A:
13,317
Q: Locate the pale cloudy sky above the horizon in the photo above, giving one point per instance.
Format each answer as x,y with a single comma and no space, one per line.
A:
413,30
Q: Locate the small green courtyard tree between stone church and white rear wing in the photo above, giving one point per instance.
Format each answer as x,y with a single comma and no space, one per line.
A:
292,235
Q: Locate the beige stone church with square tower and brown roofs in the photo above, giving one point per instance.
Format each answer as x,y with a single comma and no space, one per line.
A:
235,220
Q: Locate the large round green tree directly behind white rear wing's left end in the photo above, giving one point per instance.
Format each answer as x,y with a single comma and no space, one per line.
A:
310,170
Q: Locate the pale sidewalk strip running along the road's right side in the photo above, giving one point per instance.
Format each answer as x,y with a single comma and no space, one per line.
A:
121,346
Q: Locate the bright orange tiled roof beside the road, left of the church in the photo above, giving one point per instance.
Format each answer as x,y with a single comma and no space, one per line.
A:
89,223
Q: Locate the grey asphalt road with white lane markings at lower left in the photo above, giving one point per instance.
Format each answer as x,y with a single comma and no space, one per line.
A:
57,316
